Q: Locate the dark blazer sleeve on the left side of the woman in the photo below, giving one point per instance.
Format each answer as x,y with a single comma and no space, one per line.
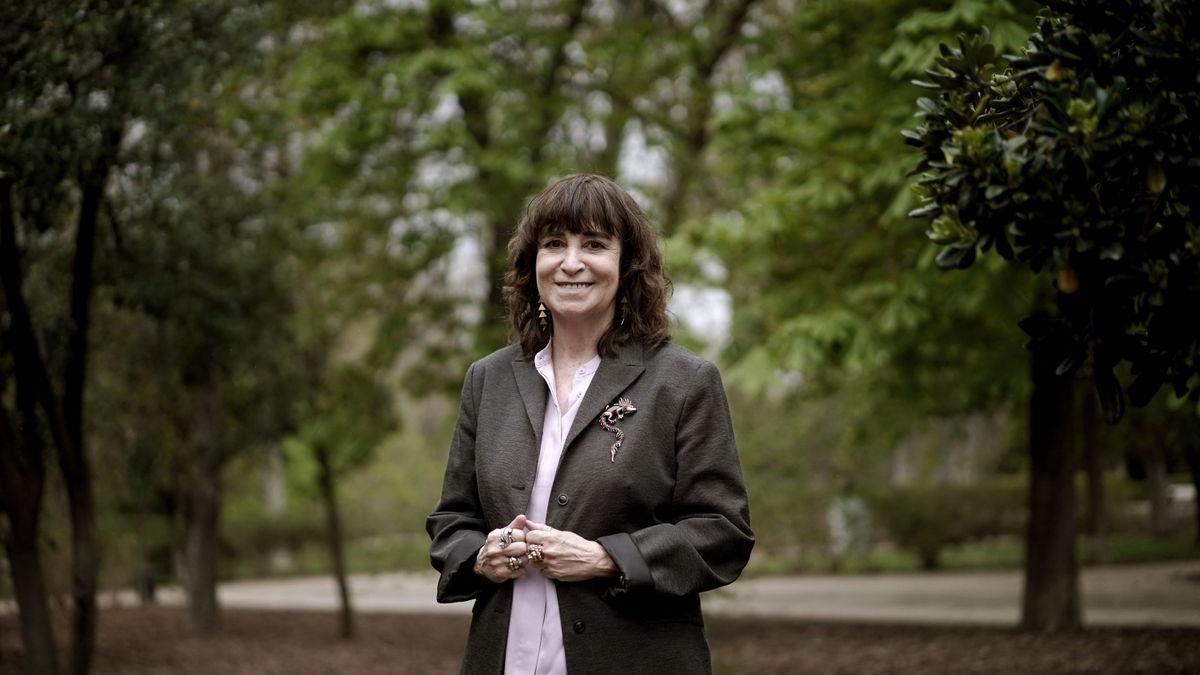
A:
457,527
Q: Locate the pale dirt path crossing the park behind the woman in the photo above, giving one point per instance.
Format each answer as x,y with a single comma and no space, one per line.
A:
1131,595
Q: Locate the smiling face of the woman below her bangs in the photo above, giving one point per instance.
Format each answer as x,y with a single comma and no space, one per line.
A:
578,277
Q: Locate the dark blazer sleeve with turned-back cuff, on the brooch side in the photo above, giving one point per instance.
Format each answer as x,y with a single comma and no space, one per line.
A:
709,541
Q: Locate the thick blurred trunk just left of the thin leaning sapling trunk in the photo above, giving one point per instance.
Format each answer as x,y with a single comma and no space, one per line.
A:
205,510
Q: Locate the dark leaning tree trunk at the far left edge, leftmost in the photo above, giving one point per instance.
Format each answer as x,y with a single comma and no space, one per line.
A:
22,500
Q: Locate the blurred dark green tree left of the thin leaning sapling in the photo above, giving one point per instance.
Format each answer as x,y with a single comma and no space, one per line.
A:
209,277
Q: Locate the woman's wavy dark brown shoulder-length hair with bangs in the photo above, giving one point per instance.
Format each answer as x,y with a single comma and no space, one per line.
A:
587,204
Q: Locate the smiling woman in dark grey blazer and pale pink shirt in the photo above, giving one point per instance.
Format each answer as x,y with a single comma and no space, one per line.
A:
593,488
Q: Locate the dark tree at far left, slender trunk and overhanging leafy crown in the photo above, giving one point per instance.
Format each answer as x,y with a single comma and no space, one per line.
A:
82,83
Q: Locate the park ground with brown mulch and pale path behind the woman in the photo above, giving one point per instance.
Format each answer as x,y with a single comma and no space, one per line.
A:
961,623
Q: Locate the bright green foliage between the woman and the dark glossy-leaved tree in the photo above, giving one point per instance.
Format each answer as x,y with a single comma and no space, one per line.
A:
827,284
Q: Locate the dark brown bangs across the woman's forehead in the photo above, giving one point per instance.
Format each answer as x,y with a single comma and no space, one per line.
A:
578,206
